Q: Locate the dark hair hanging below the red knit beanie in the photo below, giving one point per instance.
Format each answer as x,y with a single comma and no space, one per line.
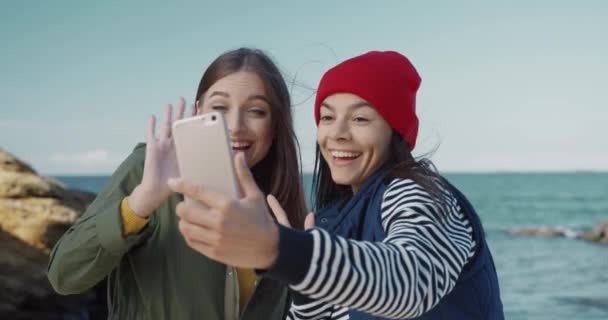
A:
401,164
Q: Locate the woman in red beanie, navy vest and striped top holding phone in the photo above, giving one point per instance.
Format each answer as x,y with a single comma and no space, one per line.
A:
393,238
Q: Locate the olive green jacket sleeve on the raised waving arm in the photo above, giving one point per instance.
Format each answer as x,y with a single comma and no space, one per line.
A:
94,245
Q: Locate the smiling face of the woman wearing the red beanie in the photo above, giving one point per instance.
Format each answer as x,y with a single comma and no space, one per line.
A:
353,138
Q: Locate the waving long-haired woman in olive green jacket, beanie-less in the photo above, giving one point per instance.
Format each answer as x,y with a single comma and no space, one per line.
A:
129,235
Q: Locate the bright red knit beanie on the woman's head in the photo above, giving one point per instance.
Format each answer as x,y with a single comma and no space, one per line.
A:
385,79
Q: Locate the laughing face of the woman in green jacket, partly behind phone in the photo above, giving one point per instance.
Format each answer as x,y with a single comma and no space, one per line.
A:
241,96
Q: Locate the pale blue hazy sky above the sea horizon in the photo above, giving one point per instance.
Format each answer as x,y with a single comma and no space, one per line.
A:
515,86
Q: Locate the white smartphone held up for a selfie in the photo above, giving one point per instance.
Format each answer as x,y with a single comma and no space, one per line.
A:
204,154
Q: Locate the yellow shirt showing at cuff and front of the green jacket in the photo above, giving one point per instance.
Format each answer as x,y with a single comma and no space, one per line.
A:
132,224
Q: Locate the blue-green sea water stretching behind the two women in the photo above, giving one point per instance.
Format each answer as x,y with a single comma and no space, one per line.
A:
540,278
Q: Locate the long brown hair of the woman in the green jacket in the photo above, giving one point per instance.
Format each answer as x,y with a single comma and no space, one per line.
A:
278,173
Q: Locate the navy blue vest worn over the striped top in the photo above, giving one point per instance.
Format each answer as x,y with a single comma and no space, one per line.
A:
476,294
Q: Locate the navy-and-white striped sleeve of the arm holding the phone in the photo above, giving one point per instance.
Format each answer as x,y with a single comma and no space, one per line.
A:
403,276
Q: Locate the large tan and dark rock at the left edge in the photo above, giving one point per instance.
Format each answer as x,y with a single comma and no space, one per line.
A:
34,212
